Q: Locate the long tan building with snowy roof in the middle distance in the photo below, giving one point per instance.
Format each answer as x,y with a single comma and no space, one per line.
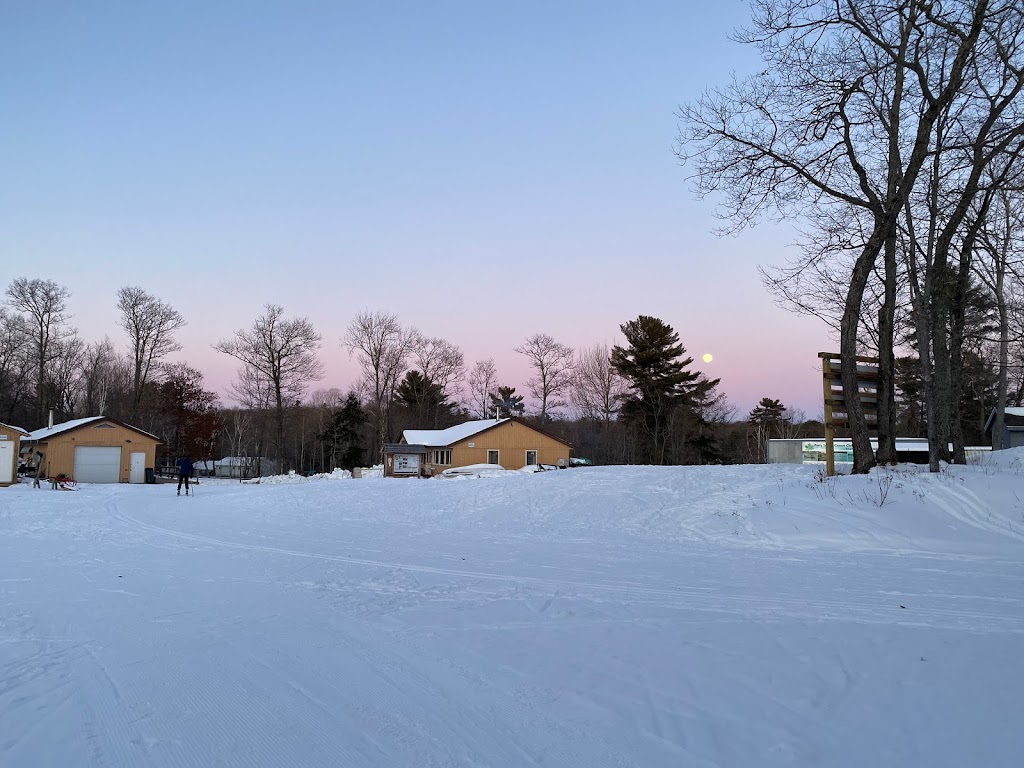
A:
507,443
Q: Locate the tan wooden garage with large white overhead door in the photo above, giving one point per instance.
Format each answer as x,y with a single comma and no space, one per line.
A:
96,450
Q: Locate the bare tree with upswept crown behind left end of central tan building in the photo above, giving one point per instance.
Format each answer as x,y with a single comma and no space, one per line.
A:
383,347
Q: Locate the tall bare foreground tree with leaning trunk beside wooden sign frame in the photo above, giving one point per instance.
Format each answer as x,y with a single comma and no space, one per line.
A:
844,118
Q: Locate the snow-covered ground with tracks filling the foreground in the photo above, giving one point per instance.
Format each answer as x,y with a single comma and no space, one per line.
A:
596,617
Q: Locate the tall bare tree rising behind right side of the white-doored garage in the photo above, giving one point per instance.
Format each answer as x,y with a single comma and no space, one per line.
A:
150,324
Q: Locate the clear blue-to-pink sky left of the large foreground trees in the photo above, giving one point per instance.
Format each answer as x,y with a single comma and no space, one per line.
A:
485,172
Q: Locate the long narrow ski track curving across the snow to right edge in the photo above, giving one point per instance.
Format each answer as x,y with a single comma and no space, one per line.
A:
681,598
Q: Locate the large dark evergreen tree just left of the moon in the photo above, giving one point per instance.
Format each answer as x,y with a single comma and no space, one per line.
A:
660,383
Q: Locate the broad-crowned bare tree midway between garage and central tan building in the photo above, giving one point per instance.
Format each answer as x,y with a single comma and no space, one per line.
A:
279,362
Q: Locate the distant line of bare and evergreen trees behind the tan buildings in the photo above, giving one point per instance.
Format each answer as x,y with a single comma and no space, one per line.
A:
637,402
